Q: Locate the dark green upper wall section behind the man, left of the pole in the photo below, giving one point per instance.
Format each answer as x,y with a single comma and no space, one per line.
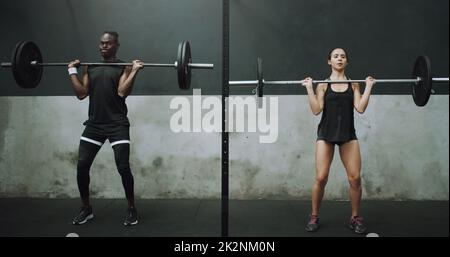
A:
148,29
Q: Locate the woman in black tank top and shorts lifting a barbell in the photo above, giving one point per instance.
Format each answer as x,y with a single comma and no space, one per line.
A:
336,102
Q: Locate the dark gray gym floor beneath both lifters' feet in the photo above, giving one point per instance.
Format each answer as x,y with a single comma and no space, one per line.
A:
201,218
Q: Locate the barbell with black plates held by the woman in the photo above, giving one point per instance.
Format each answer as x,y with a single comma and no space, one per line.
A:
421,81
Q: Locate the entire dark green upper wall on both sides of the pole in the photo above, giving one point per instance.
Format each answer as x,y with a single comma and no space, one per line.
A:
293,37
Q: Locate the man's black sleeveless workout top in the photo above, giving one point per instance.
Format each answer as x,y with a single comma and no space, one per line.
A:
106,107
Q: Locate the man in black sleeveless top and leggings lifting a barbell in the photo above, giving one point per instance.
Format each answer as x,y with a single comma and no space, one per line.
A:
107,88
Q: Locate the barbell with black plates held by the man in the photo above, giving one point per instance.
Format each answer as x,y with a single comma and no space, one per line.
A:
27,64
